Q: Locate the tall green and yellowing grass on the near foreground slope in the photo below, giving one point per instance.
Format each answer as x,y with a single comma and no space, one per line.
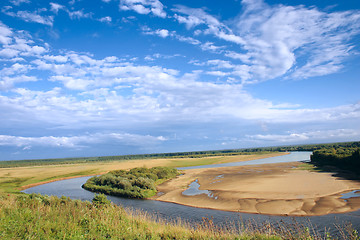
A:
41,217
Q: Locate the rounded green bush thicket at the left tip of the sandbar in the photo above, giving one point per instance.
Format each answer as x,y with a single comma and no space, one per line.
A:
135,183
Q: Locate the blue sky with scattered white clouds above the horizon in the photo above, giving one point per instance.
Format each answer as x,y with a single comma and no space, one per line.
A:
112,77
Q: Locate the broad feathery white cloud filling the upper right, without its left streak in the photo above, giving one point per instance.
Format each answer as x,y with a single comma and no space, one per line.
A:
276,36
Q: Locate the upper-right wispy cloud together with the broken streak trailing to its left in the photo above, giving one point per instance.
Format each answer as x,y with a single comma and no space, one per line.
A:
270,39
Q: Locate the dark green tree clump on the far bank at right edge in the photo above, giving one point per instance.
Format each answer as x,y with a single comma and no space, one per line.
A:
338,157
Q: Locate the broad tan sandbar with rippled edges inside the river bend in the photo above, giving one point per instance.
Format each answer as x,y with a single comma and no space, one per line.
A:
276,189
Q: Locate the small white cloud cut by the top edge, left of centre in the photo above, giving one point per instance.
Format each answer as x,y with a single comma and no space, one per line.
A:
144,7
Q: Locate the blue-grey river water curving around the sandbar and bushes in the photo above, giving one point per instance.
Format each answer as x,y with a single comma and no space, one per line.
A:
170,211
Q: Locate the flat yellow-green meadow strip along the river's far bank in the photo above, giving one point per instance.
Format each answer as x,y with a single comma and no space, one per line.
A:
15,179
